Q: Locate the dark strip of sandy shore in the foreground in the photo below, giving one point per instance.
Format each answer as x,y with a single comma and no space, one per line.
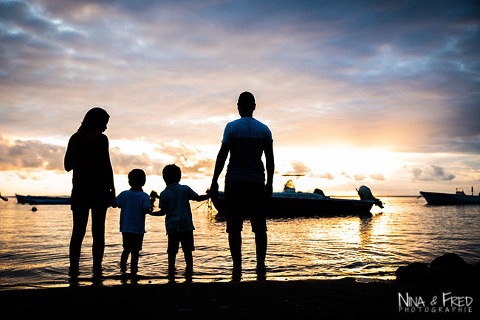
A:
310,299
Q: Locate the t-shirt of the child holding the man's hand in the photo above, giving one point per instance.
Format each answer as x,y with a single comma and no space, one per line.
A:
175,200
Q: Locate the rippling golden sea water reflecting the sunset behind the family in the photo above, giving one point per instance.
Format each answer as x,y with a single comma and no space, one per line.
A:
34,245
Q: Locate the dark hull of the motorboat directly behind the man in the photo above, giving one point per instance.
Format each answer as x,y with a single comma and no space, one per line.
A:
304,204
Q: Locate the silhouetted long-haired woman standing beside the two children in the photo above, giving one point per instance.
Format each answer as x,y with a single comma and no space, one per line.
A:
93,189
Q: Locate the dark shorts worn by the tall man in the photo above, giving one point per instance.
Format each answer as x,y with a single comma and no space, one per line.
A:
245,200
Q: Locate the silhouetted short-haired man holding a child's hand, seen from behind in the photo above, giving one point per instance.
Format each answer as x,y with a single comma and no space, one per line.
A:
246,139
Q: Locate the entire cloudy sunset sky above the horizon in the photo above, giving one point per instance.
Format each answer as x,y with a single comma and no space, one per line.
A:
378,93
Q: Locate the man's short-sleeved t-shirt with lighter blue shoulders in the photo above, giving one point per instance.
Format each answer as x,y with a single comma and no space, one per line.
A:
247,138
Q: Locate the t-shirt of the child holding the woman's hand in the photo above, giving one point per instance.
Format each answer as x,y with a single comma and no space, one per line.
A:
132,204
